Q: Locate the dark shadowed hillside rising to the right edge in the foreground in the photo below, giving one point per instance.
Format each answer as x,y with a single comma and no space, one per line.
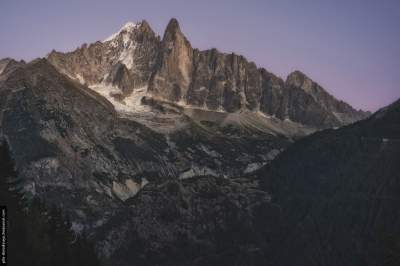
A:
339,193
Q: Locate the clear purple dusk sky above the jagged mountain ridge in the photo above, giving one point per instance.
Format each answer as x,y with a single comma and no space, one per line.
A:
350,47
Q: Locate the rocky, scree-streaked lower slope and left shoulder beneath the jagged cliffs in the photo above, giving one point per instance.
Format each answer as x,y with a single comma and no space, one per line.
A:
73,148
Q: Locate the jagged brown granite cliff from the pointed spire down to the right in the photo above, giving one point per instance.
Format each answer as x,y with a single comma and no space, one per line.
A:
228,82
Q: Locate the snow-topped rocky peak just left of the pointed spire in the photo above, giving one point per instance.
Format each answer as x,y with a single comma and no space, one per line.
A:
135,47
